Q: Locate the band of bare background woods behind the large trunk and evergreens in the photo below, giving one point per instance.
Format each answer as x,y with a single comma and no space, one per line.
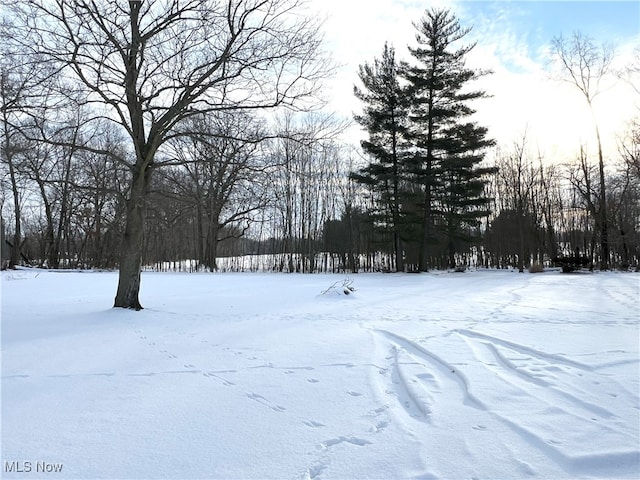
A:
297,210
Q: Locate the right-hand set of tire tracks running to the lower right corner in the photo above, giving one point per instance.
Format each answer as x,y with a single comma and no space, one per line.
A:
559,416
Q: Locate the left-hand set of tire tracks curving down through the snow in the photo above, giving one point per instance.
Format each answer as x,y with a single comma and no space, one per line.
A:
431,401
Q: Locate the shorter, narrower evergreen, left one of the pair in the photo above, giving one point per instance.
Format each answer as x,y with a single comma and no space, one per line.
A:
385,118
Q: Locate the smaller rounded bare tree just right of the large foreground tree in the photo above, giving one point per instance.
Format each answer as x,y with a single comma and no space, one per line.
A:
220,174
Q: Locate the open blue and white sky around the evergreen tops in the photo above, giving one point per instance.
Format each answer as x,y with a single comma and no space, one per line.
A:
513,40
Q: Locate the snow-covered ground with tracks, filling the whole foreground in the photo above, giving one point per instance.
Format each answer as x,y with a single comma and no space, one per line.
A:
487,374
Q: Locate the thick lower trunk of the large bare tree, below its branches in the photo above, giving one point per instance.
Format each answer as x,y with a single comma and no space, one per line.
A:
132,244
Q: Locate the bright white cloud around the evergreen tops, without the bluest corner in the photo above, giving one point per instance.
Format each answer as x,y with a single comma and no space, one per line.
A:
524,96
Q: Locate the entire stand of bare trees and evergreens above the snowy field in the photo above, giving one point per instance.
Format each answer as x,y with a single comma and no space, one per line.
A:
228,172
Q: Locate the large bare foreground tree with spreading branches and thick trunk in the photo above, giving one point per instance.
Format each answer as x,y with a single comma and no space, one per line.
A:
149,65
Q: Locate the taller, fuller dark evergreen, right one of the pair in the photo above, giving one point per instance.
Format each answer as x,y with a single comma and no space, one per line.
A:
447,149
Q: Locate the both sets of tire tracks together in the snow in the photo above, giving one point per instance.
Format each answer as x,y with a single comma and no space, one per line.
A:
560,421
